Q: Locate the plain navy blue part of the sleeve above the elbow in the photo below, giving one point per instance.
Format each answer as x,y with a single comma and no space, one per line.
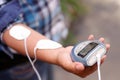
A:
8,13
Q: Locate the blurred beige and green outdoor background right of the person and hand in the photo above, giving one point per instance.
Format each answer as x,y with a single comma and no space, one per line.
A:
100,18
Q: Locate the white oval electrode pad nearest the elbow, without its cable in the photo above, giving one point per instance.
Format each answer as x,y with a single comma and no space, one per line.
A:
18,32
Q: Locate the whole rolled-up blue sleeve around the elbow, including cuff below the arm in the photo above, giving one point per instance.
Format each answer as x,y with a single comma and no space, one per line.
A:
9,14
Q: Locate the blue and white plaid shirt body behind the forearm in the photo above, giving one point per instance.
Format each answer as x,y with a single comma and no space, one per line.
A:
43,16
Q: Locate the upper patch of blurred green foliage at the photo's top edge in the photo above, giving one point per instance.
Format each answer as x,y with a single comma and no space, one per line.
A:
73,8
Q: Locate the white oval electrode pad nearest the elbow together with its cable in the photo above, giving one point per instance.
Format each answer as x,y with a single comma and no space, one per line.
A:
21,33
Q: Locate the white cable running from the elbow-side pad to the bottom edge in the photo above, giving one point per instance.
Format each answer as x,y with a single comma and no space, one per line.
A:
25,44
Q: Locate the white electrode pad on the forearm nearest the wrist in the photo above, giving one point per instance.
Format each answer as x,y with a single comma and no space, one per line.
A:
47,44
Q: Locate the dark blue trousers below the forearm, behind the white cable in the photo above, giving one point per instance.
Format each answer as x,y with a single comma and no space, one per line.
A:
26,72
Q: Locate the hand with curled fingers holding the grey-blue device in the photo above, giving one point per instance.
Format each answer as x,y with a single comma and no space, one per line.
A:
64,60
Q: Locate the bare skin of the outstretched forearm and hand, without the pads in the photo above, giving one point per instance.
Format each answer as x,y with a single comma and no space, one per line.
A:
60,56
